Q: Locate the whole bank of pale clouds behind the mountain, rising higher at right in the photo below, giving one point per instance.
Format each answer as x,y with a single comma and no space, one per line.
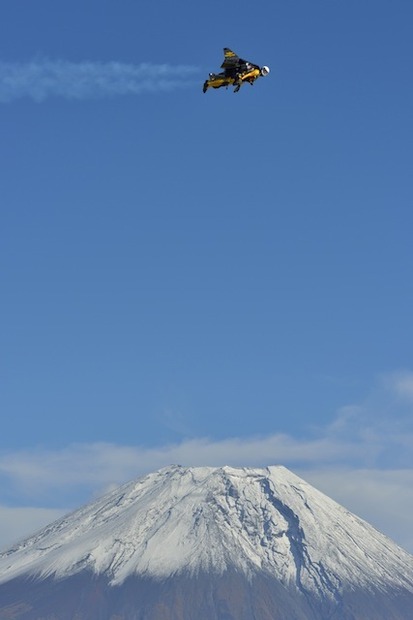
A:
363,459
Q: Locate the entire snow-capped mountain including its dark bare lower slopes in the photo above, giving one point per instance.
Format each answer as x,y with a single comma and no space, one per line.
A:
209,543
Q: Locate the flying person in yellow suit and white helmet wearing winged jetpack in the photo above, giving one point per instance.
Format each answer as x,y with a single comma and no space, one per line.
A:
236,72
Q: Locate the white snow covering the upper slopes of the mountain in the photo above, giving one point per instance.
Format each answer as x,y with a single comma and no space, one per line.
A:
208,520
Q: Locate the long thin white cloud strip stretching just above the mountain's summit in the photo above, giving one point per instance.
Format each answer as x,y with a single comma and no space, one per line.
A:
35,472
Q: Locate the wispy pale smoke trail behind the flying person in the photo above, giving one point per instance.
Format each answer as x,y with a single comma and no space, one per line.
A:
43,78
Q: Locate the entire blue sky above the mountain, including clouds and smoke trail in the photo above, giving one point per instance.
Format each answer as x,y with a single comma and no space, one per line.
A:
205,279
